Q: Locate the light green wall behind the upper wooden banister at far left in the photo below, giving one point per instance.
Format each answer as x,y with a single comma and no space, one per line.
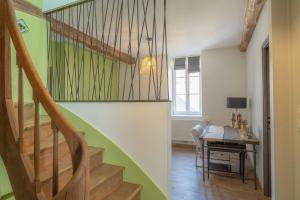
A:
36,42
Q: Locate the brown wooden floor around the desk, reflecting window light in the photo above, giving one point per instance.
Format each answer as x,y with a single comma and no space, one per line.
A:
187,182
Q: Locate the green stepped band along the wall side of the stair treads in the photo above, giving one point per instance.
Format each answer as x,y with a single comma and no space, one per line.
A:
114,155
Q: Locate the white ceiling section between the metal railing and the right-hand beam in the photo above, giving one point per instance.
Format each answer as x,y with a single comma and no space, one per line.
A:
196,25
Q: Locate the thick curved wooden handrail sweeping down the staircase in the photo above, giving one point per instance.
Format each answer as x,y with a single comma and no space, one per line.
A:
76,143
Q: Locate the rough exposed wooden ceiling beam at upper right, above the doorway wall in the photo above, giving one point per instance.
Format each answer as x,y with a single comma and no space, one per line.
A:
253,10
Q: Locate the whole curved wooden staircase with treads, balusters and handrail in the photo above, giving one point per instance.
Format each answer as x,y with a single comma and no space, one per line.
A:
45,156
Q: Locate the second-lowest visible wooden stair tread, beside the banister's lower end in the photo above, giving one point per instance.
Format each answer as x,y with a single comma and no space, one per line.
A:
100,174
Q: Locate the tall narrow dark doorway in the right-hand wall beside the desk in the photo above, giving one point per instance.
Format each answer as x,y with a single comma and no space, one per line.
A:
266,119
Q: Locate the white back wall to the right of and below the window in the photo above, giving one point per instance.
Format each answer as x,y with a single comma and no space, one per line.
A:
223,75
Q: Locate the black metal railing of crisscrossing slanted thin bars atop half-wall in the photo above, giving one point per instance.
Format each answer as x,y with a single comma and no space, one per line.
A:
103,50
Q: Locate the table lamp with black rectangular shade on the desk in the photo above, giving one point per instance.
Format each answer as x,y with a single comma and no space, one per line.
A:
236,103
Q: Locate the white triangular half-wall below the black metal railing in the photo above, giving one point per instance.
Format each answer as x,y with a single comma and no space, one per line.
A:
142,130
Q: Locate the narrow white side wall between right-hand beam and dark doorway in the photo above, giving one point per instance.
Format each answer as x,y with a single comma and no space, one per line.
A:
254,79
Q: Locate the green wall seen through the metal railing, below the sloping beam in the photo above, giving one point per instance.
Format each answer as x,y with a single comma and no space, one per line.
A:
81,74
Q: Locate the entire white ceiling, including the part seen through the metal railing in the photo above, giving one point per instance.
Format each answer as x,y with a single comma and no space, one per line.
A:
192,25
